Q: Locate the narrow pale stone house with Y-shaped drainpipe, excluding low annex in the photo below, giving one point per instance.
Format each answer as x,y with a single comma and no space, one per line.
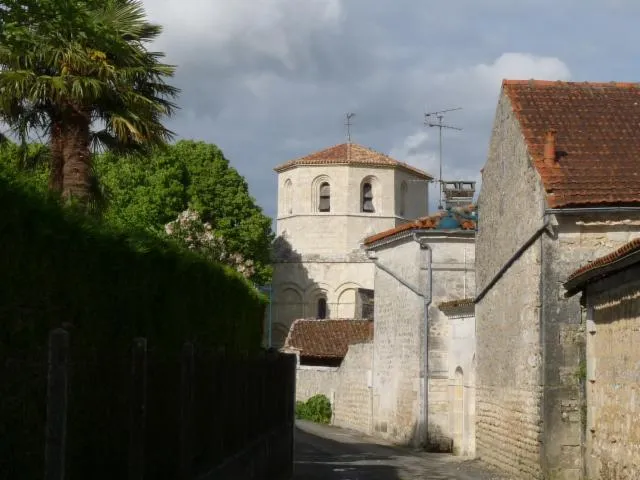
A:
417,266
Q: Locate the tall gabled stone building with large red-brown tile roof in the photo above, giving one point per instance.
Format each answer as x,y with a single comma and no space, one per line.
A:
560,187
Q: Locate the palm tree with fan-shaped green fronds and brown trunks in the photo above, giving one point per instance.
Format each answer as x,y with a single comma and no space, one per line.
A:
67,65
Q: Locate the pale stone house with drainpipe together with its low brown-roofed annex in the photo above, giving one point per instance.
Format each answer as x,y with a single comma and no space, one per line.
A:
378,386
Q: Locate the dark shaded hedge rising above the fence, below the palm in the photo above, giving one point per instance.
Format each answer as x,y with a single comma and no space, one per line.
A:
111,286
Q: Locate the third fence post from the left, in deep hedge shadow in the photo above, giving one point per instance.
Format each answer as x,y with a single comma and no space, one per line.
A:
186,408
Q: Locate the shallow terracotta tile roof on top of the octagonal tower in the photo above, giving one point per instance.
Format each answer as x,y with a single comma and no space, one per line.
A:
351,154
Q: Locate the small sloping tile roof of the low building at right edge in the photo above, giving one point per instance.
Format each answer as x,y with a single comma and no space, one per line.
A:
620,258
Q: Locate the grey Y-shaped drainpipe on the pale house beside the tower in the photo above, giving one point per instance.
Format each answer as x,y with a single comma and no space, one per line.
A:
427,297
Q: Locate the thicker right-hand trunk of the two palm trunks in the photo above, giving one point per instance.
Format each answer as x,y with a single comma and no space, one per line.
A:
76,152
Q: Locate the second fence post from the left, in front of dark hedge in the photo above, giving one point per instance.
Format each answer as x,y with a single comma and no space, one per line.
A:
138,408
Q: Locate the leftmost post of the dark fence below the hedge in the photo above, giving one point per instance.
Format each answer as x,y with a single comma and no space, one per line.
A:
57,398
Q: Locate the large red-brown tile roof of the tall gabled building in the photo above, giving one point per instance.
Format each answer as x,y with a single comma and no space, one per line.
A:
597,138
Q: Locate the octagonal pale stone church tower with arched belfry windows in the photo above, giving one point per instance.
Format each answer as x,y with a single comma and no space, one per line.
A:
328,202
